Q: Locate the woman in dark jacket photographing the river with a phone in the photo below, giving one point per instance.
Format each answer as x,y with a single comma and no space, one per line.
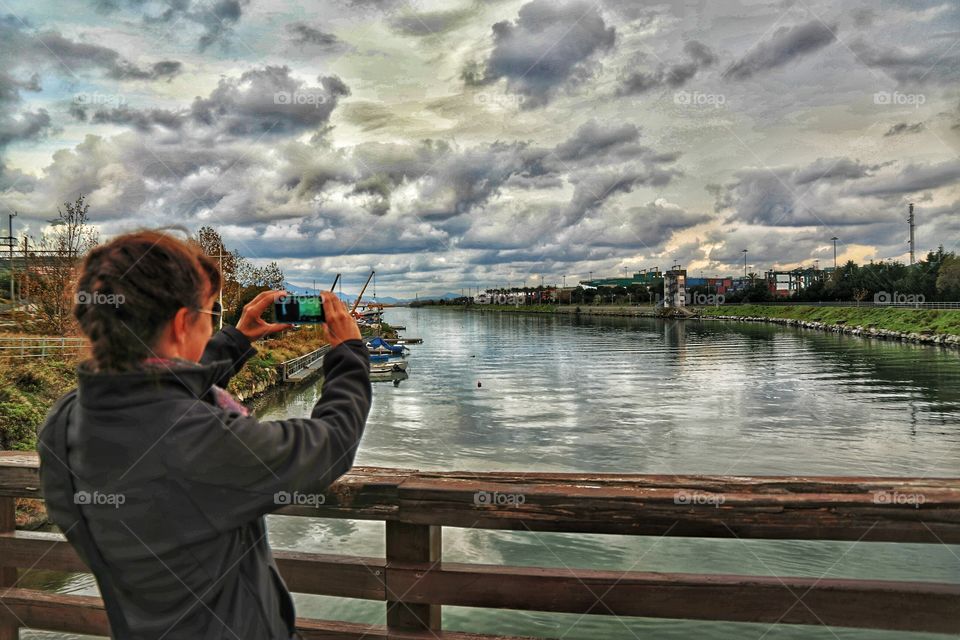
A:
157,476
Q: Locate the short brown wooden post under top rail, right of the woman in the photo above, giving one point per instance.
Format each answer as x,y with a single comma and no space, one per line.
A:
412,544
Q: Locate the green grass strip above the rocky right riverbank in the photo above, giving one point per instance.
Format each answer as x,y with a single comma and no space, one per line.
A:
939,321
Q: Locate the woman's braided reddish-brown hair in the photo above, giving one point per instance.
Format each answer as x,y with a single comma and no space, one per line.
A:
130,287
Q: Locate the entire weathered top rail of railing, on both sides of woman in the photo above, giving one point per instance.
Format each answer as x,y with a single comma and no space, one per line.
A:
776,507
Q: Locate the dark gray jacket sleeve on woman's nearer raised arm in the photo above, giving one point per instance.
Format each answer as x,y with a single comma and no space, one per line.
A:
236,468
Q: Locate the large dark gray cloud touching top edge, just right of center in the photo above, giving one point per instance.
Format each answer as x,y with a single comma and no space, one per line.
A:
549,45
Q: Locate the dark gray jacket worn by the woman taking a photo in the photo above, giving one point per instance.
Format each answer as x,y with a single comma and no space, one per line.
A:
166,491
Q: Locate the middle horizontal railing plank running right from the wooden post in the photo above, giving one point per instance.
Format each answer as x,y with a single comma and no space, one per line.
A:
904,606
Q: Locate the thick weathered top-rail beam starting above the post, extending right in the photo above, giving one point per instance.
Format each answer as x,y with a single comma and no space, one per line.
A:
638,510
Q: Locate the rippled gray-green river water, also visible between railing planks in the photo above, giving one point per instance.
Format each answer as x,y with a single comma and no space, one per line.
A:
495,391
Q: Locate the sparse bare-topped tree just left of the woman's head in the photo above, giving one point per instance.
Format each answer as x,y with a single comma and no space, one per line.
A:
51,281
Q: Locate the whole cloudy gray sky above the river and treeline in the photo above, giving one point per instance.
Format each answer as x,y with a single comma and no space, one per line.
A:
487,142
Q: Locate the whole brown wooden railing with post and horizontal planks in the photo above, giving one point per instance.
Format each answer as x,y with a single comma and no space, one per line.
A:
414,582
